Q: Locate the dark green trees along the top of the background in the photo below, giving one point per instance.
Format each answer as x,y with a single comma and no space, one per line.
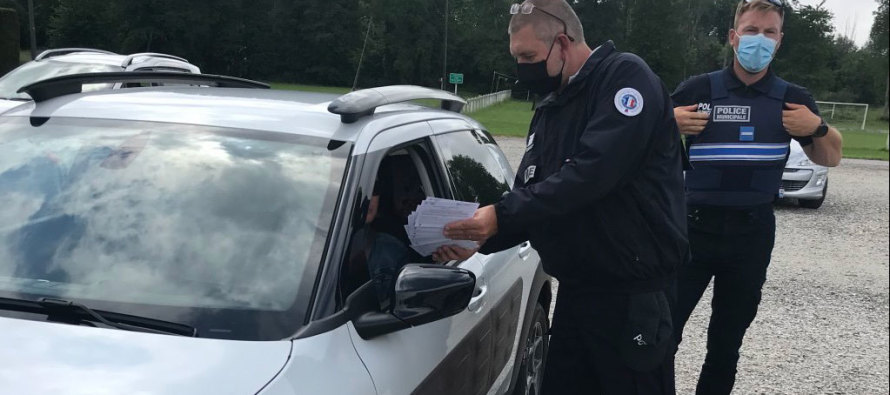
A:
321,41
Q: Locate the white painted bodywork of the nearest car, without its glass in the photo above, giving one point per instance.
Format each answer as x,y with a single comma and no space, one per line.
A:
50,358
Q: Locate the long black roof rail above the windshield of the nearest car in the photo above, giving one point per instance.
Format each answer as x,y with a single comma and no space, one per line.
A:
71,84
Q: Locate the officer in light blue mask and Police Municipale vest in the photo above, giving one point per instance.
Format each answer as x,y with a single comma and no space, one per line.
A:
738,124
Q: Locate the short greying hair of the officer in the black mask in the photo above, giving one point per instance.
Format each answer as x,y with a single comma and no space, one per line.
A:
546,26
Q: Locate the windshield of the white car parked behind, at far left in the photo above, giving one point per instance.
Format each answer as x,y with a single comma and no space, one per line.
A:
32,72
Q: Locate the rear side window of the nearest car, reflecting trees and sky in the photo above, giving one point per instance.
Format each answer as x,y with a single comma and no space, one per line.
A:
476,175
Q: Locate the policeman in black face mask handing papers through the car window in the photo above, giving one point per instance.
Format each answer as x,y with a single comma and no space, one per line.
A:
599,193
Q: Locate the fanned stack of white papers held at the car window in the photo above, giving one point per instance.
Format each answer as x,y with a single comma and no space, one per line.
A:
426,224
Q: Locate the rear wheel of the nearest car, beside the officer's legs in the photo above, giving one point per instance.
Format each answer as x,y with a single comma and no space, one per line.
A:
534,358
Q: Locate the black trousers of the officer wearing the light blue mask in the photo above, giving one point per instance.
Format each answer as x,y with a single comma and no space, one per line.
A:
732,246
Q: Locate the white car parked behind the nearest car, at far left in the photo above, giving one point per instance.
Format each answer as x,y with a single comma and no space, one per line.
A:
65,61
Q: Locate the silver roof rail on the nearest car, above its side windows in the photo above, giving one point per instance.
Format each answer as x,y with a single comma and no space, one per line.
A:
354,105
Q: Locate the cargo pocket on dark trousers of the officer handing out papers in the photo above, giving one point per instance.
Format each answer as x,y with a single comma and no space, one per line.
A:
647,335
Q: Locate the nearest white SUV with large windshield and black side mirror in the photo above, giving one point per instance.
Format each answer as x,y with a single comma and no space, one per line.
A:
201,240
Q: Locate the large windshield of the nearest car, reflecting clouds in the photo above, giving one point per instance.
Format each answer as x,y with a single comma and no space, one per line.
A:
215,228
